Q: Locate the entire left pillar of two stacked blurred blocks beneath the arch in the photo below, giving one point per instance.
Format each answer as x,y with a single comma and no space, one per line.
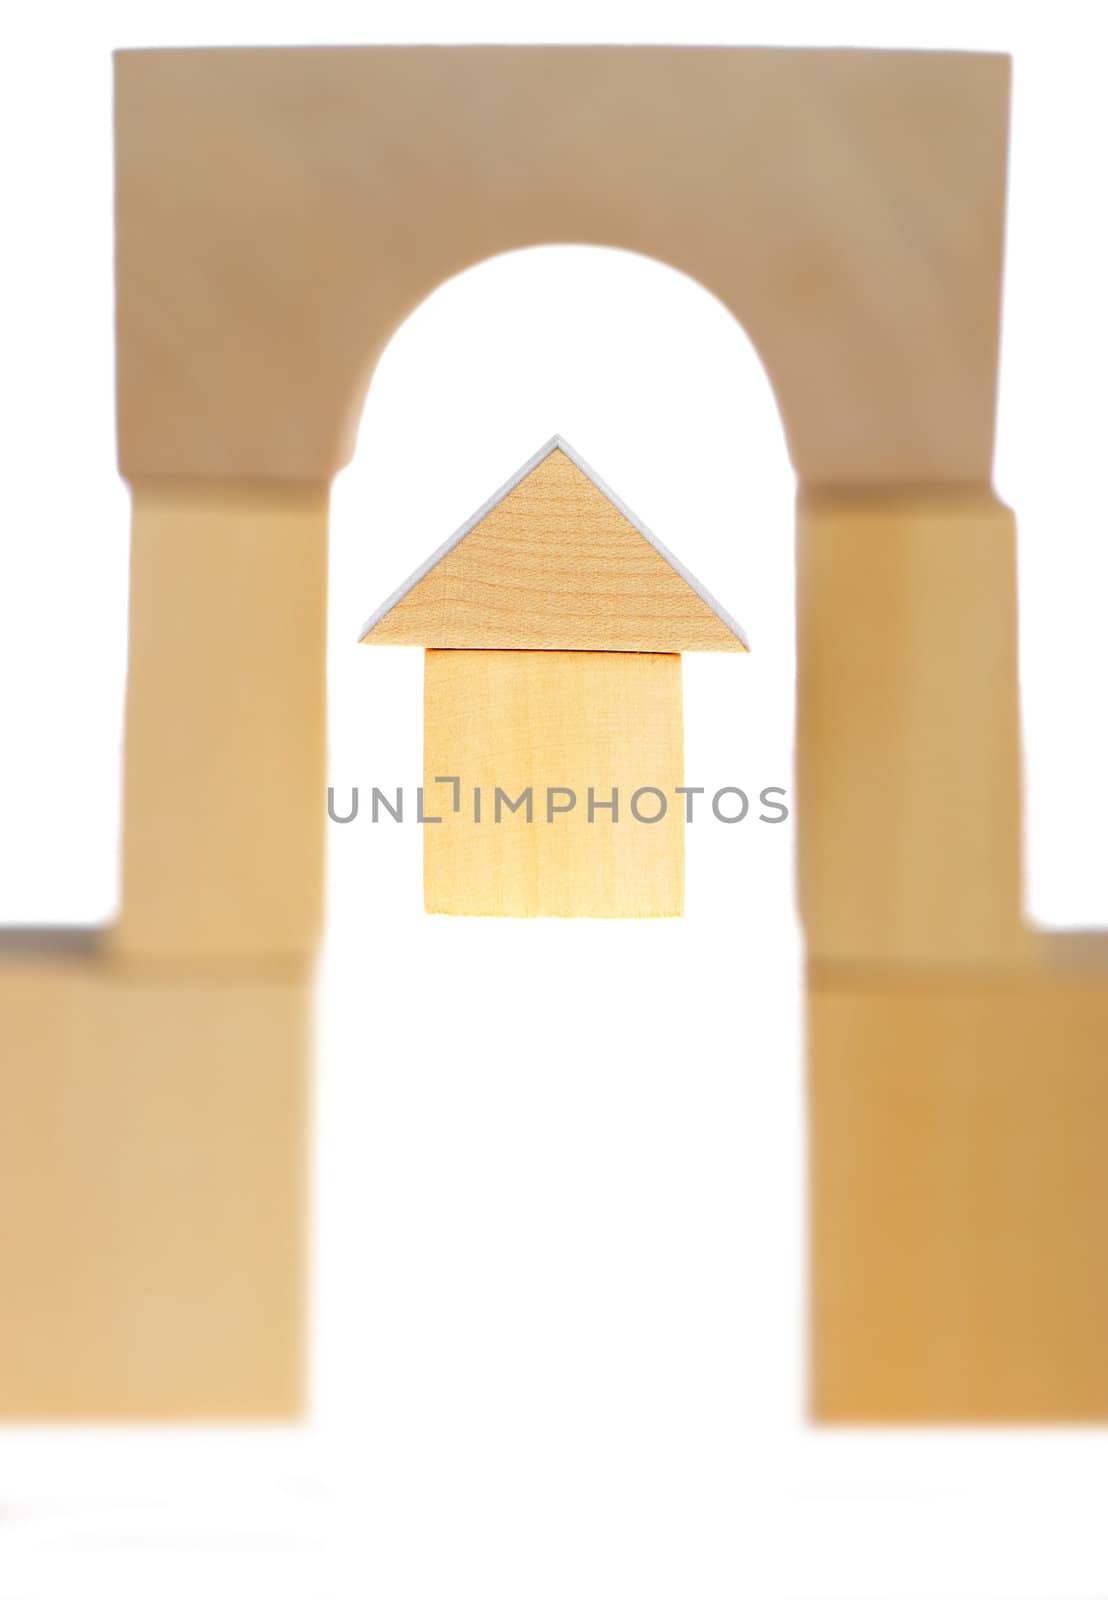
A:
156,1081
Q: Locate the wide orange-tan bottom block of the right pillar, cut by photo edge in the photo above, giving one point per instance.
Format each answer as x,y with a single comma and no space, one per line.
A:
960,1198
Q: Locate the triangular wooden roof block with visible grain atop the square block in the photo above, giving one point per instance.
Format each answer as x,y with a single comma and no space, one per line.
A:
555,561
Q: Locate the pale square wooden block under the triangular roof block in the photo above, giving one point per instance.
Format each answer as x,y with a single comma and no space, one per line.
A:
552,719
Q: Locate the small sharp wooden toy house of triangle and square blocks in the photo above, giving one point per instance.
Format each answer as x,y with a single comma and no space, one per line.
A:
553,625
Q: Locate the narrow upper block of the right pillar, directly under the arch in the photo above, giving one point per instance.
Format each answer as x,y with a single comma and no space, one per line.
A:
909,738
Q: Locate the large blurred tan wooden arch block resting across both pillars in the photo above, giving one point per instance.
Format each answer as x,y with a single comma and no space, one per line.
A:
281,212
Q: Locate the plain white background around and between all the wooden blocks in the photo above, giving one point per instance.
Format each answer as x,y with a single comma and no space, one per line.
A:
560,1207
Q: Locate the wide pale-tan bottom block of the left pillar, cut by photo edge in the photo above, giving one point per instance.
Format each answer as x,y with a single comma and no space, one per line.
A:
153,1191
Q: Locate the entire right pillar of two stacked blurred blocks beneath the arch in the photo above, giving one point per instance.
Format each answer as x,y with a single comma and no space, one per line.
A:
958,1065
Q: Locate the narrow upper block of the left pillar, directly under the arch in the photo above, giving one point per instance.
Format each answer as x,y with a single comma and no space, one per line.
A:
225,761
